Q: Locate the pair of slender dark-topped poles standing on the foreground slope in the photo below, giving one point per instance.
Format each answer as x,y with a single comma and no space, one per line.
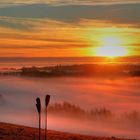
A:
38,106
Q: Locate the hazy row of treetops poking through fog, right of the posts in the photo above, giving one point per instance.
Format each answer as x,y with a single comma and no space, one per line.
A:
67,109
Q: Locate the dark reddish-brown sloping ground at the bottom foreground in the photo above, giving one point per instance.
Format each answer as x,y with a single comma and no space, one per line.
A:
16,132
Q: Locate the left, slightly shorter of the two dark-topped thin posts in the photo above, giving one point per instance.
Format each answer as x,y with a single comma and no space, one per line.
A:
38,106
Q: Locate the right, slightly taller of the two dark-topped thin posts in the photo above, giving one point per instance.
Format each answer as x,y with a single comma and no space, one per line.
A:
47,100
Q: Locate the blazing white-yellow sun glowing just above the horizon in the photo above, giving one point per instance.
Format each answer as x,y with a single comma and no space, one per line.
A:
111,47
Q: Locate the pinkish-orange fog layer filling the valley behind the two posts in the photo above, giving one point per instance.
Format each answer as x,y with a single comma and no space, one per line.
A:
17,103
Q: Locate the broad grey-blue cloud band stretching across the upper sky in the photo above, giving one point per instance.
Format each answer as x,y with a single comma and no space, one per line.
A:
124,14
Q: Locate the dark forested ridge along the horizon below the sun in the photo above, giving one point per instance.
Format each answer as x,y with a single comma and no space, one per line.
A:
89,70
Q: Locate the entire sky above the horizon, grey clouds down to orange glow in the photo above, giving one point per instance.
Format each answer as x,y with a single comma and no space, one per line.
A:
40,28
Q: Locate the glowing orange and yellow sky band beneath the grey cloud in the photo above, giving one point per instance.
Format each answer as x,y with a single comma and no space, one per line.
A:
49,37
